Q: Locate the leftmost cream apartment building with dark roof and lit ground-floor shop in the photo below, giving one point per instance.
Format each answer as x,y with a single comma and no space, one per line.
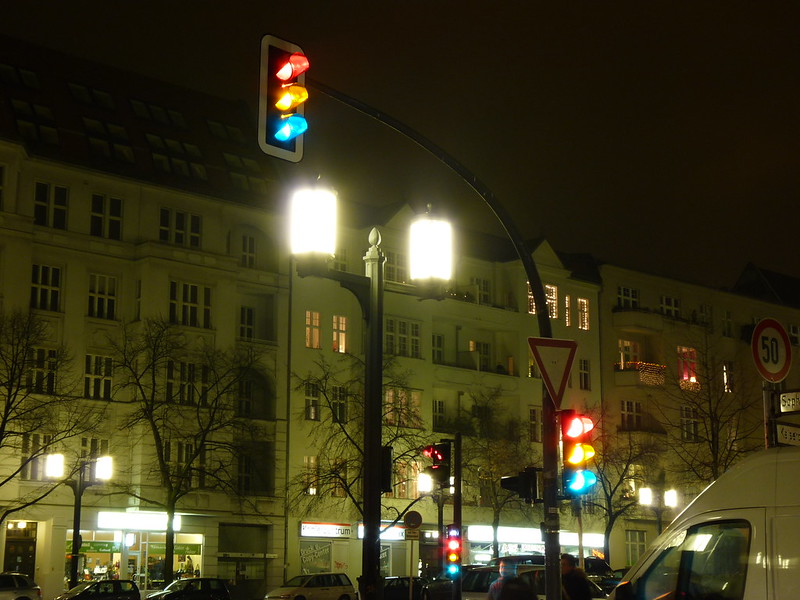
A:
125,201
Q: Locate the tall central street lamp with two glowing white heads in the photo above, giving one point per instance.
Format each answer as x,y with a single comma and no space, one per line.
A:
313,235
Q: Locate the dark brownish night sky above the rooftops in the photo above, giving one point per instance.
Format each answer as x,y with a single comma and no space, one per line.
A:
664,136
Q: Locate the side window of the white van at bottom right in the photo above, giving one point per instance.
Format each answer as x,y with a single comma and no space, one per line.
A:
708,560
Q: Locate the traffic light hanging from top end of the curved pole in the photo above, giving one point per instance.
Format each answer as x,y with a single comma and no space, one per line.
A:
282,95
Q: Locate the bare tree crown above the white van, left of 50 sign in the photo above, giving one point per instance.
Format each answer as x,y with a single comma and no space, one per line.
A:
713,415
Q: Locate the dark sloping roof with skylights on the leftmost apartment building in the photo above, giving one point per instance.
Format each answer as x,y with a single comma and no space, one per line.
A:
76,111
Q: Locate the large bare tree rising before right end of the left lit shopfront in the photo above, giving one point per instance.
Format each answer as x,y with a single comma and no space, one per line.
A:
183,396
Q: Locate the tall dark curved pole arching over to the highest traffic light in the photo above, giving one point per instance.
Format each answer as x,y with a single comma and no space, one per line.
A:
552,521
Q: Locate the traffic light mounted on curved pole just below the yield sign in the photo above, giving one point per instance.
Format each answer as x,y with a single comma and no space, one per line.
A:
577,449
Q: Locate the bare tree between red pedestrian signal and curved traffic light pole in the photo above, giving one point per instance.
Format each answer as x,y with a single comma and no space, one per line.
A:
499,445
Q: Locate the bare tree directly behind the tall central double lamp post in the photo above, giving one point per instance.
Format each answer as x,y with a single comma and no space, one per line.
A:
334,411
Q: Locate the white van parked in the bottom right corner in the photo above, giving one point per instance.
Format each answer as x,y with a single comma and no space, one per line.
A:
738,540
